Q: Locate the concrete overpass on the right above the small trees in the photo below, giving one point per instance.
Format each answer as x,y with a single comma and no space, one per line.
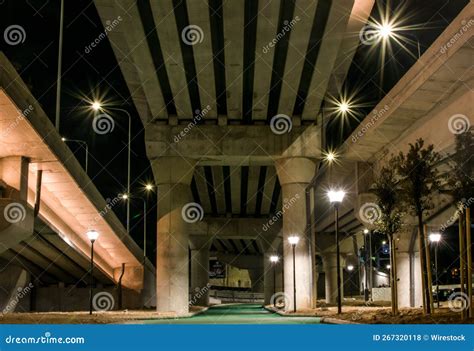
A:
430,101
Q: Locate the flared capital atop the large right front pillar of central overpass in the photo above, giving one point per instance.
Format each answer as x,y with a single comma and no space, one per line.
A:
292,170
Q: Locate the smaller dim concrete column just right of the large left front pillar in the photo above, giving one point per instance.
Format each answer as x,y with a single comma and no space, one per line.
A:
199,271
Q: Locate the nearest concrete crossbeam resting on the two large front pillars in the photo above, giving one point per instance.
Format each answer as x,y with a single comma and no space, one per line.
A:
231,145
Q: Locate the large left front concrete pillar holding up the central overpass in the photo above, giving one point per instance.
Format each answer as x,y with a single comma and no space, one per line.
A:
173,176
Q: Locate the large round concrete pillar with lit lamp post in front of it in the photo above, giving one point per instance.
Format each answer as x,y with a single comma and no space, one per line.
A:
294,175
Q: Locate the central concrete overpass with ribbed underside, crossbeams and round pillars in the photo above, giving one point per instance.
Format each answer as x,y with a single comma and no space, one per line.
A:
230,94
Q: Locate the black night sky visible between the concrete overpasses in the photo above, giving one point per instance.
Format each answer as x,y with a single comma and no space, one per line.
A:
96,73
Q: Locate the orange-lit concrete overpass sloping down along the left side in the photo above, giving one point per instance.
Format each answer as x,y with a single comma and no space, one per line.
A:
48,203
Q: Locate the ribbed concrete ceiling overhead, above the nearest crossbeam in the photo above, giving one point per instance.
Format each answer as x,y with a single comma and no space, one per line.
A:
242,60
